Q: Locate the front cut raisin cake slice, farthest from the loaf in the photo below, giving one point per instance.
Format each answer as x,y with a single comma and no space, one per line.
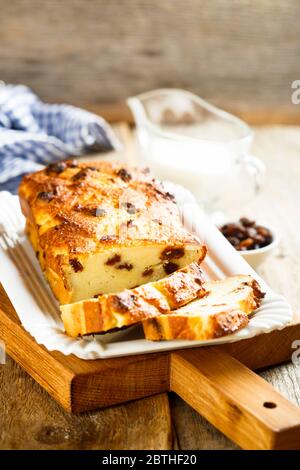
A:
222,311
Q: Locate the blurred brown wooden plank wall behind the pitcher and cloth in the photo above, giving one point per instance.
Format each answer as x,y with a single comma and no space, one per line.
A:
242,55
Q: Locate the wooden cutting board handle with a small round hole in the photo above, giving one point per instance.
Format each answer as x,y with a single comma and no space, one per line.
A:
246,408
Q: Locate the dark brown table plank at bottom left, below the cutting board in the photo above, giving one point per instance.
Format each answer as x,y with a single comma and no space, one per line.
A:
30,420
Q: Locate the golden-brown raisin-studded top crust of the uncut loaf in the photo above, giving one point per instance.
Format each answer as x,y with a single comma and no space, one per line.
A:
71,212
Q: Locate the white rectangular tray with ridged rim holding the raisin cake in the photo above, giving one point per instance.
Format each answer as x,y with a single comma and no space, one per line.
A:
47,329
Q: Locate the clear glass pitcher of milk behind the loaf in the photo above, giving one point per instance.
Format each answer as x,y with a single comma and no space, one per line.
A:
191,142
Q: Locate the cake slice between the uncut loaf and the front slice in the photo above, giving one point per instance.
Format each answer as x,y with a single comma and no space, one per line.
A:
131,306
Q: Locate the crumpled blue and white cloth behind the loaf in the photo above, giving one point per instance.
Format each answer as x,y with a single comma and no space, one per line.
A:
33,133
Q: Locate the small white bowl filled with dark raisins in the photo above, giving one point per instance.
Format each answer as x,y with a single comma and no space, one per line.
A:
254,241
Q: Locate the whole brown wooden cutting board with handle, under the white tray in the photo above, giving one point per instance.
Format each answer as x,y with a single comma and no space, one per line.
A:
216,381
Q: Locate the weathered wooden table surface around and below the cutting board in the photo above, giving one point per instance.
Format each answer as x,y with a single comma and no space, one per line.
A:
30,419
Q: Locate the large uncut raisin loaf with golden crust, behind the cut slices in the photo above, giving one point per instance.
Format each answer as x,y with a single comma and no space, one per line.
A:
103,227
